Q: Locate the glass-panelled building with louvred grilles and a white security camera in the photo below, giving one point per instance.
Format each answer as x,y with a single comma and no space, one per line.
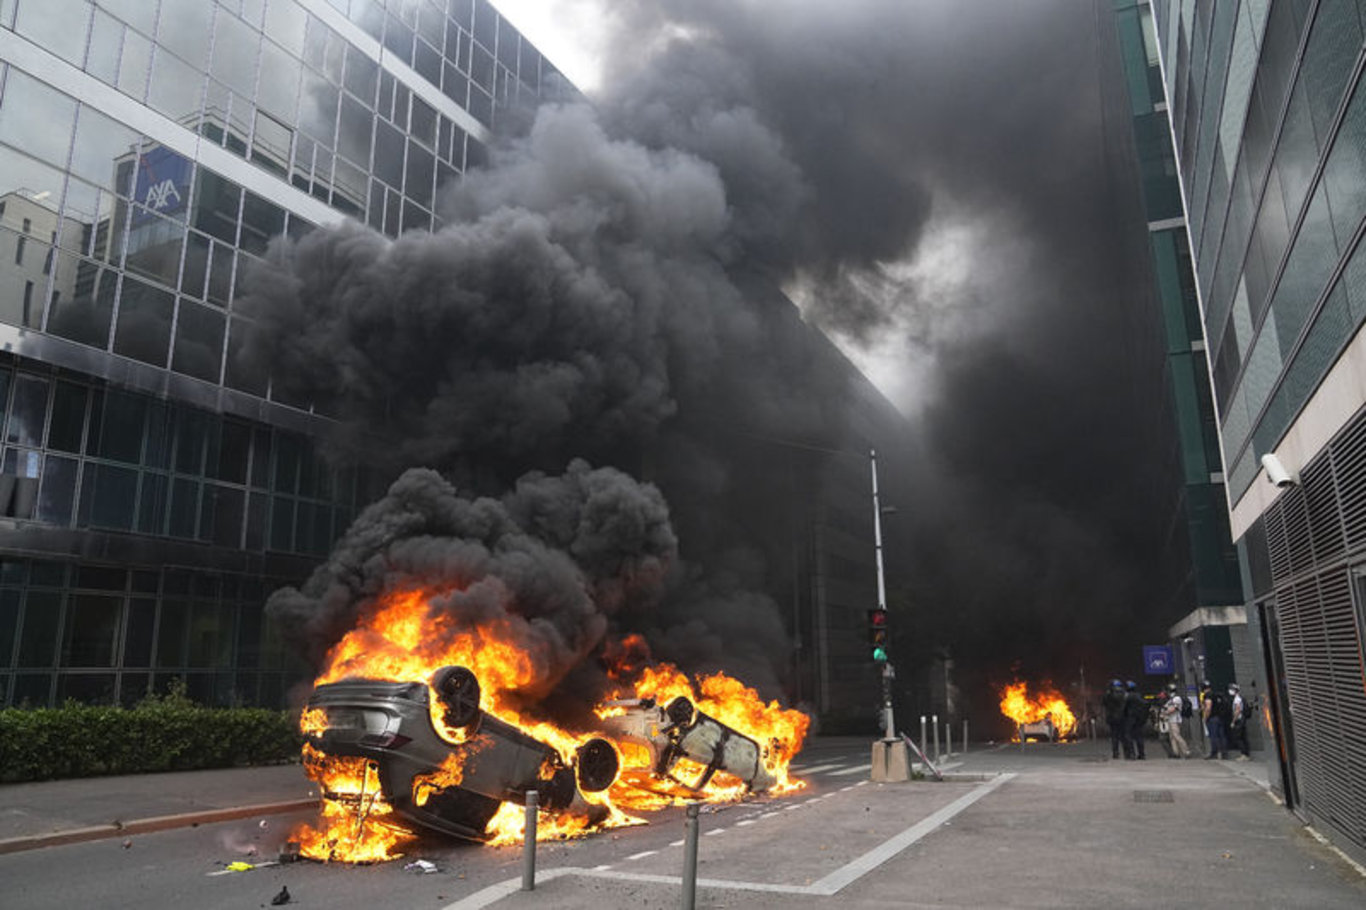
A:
1268,121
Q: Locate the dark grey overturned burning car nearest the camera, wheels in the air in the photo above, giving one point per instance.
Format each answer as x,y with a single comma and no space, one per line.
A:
432,758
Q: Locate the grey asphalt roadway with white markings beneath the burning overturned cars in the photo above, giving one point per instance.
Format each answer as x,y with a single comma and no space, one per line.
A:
1043,827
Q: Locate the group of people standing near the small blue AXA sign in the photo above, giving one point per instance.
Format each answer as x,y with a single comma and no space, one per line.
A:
1223,713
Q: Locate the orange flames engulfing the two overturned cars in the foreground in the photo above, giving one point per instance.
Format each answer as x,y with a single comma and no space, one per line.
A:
401,640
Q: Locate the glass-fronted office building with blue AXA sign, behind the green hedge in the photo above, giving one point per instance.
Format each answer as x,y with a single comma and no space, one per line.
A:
150,150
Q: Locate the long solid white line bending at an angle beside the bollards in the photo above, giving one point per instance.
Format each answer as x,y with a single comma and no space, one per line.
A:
828,886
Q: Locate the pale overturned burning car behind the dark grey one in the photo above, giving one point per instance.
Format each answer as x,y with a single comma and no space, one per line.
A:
678,732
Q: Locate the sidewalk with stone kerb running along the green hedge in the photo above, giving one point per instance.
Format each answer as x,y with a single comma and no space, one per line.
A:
54,812
